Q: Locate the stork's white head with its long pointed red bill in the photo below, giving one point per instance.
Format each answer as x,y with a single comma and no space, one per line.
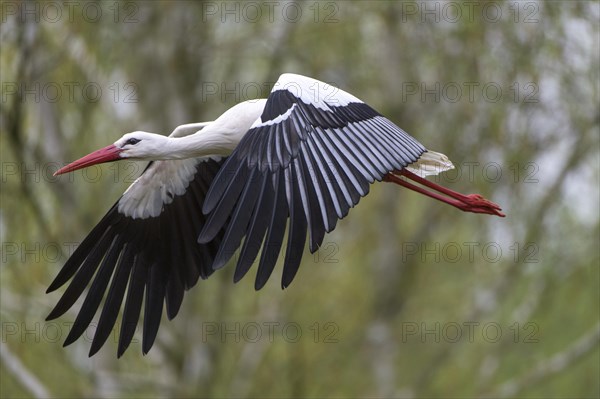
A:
135,145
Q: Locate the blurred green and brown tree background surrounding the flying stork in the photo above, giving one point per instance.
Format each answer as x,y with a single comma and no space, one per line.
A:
407,297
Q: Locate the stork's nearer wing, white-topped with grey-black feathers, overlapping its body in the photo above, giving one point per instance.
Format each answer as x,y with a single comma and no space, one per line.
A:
309,158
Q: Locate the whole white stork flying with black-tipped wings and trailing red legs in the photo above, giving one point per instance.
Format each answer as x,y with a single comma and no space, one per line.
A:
302,158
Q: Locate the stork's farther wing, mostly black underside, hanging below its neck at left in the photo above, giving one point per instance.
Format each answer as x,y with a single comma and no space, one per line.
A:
146,248
